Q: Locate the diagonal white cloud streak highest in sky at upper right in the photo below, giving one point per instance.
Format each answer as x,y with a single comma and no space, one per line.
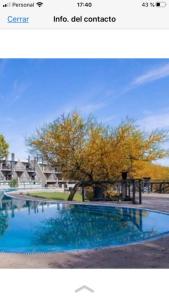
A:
151,75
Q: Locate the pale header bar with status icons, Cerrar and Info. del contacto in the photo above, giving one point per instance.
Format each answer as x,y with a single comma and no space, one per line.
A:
89,14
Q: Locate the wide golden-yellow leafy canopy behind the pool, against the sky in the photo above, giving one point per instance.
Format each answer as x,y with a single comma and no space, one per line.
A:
86,150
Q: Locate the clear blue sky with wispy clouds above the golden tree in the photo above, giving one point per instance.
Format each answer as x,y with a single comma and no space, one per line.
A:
34,92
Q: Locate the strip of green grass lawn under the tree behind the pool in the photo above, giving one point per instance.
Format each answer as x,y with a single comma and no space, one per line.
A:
55,195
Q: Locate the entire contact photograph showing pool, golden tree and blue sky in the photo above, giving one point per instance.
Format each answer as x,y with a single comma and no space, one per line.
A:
84,163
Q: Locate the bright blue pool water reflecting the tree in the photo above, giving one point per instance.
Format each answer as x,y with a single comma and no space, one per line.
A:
42,227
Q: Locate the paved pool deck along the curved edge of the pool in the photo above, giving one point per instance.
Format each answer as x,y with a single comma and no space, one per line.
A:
152,254
